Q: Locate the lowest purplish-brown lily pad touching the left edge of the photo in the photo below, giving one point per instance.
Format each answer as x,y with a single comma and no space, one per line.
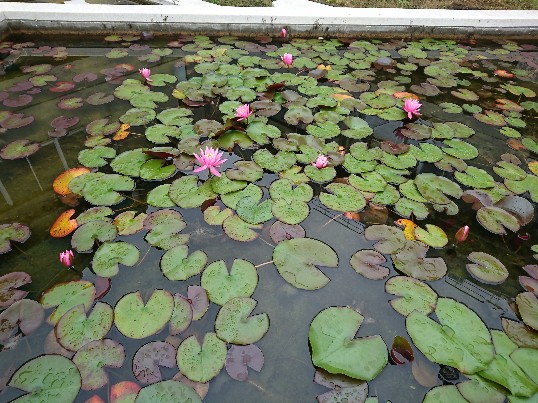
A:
26,315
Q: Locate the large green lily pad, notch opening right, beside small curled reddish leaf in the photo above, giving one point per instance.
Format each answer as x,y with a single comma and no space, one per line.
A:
335,349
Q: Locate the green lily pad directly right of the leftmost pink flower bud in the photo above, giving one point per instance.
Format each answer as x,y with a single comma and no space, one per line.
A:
110,254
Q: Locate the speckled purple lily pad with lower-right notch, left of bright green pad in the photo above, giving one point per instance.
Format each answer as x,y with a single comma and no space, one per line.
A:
150,357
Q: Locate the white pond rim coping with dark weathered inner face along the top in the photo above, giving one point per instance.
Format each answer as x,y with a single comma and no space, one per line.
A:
302,18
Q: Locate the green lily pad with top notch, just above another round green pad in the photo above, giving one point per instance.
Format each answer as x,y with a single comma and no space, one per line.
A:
221,285
